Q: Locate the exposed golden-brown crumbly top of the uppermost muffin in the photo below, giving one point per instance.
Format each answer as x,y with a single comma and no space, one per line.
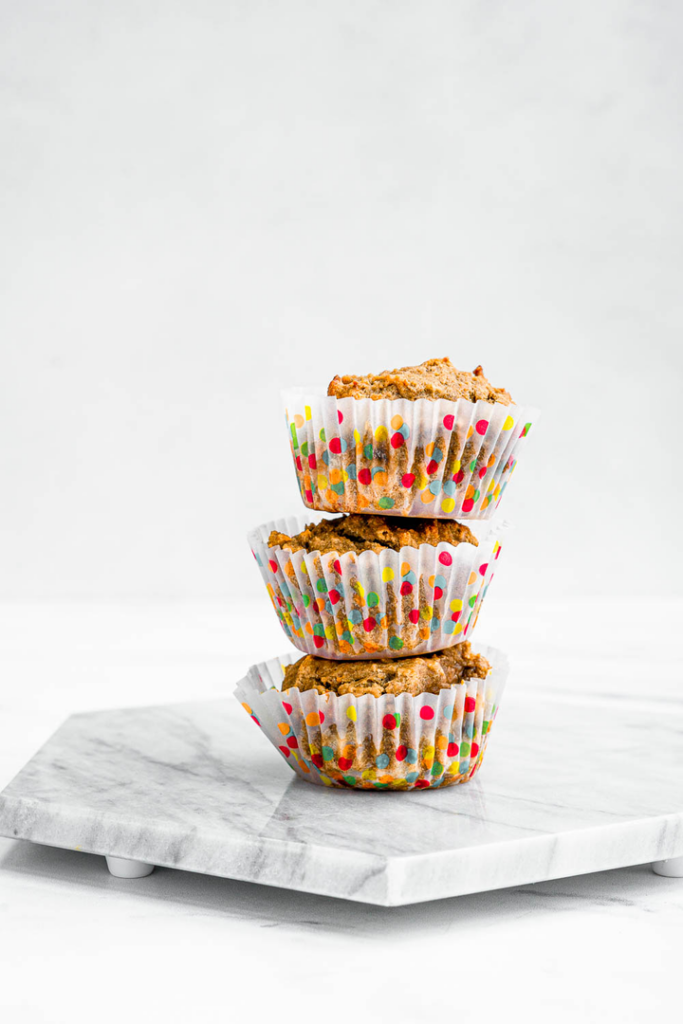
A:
434,379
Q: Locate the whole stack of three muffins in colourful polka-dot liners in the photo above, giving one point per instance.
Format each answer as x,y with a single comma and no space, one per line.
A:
383,601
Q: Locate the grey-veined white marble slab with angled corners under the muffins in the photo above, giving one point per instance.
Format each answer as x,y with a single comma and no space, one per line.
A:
571,785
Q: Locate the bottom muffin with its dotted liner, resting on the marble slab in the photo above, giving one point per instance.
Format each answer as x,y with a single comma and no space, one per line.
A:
428,729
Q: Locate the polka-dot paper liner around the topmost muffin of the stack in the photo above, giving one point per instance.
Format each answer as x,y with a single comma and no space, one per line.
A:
443,459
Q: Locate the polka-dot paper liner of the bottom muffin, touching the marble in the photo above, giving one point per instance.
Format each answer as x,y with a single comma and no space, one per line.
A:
388,743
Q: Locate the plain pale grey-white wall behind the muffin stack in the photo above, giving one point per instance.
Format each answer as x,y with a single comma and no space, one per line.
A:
205,202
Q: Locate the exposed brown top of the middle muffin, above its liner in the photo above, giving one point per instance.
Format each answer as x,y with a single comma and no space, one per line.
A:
373,533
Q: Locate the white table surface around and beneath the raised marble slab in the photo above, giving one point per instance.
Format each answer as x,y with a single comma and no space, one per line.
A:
177,947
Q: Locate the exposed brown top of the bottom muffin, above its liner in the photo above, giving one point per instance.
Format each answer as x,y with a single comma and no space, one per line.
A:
429,674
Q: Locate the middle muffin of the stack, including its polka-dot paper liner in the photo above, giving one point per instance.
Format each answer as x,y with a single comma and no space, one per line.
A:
360,587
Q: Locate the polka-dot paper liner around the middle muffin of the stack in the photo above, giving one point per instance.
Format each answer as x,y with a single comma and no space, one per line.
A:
411,602
